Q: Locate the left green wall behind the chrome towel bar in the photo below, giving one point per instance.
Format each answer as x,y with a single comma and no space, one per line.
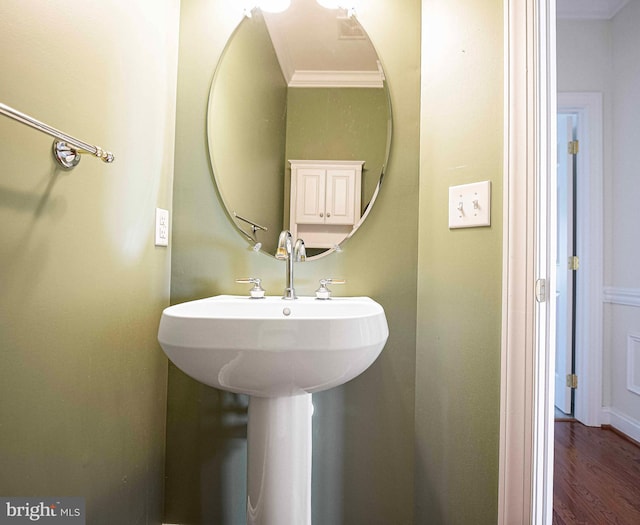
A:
82,379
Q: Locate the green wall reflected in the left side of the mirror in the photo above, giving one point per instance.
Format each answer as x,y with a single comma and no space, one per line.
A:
247,135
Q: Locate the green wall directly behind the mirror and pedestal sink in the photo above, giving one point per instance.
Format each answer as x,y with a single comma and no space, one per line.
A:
364,431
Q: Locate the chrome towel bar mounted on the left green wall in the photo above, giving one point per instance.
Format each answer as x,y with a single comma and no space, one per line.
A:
66,149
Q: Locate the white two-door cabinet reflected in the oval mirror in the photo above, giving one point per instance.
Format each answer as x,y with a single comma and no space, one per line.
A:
325,200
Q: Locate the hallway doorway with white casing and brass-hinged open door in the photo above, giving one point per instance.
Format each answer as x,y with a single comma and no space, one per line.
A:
580,200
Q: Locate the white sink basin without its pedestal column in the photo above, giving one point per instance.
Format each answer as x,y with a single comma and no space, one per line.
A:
273,347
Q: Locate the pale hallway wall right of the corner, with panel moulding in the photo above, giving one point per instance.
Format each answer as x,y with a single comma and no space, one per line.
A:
623,269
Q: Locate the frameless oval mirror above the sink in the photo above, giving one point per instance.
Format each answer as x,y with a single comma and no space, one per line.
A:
299,126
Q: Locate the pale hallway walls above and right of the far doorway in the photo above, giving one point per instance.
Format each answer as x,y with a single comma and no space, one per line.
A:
604,56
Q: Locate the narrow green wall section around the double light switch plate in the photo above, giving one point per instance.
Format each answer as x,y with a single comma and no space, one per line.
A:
459,282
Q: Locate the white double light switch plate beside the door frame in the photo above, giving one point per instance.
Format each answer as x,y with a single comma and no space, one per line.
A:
470,205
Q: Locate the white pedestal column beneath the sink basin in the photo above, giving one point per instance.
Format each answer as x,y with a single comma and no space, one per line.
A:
279,460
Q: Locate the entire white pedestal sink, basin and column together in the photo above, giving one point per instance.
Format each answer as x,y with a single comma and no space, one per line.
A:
278,352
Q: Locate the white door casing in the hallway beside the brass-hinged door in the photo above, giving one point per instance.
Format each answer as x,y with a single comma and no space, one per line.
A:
589,278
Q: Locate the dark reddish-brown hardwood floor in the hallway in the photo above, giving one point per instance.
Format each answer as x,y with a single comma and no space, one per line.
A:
596,477
